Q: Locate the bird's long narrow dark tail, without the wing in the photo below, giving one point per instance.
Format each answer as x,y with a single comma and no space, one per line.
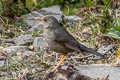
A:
89,50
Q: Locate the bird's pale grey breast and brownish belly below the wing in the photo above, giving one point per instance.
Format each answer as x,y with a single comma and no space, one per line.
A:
50,37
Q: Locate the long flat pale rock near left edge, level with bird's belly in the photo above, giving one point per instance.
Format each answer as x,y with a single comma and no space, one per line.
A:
15,49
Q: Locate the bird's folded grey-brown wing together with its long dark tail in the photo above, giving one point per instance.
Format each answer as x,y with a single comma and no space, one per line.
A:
67,40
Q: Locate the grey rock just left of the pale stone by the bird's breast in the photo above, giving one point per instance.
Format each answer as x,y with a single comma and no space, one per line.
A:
24,39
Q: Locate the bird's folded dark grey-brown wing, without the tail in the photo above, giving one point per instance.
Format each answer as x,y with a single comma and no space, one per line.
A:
67,40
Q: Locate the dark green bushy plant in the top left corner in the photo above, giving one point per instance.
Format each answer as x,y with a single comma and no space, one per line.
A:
10,9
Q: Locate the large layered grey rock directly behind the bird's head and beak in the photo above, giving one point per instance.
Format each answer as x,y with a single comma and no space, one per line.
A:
37,25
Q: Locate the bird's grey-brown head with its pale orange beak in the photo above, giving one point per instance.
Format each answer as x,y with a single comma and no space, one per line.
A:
48,21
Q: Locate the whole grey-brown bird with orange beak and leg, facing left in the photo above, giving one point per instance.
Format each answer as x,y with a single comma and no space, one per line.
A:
60,40
